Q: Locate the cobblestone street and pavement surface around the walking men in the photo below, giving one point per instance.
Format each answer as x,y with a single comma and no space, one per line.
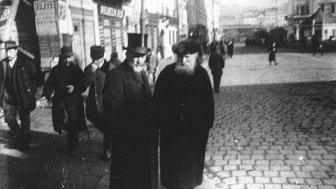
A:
274,129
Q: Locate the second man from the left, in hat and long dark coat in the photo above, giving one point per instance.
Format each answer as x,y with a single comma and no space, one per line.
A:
66,81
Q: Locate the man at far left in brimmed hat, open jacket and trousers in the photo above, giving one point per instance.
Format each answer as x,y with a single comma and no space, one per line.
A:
18,87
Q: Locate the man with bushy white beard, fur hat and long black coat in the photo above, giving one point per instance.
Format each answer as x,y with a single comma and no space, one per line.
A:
184,113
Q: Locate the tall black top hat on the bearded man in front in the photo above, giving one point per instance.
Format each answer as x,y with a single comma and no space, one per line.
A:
137,43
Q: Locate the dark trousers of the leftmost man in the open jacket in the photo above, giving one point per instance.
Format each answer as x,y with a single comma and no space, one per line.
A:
22,132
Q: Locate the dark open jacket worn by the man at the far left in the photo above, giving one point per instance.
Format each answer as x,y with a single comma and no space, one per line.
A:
24,82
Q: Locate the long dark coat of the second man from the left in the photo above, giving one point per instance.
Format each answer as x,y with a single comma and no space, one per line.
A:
63,102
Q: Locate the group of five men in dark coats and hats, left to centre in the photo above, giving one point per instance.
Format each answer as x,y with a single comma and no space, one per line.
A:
120,103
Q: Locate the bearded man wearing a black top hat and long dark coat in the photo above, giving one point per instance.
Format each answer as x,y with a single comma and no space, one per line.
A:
127,105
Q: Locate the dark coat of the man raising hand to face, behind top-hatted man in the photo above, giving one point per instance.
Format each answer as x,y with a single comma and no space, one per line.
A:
94,102
